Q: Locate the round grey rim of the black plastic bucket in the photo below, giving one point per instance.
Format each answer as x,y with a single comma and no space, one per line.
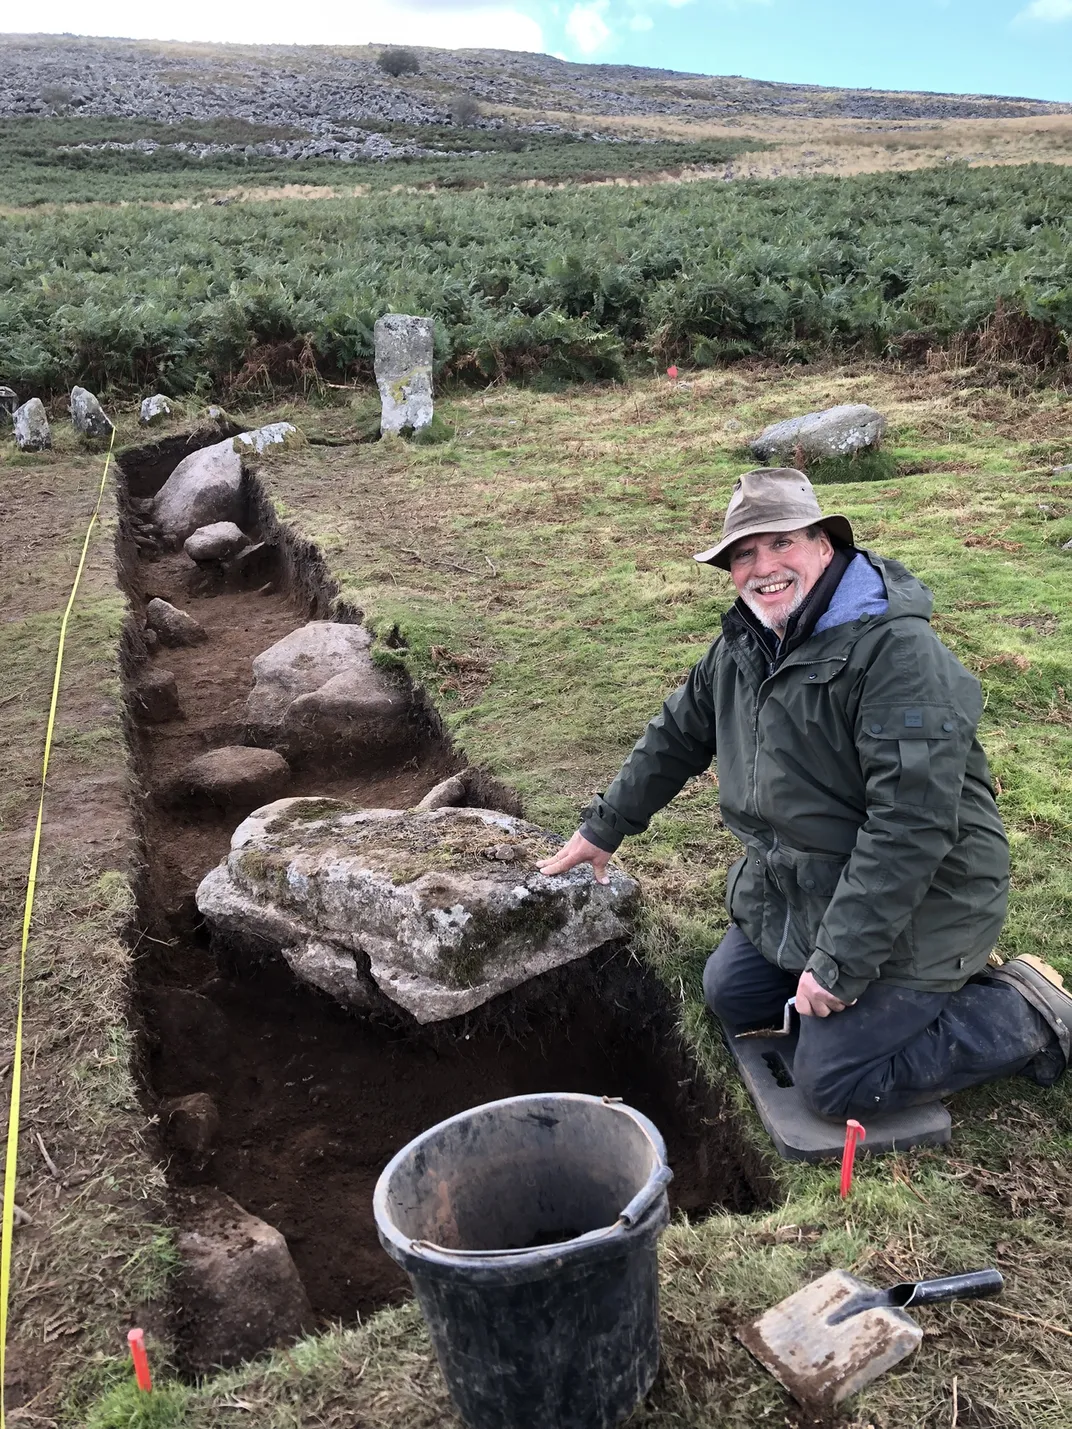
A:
410,1248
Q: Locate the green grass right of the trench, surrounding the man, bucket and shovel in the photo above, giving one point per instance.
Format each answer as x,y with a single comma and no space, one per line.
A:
538,569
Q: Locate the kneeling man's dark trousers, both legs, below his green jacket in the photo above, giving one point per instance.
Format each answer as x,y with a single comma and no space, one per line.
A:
895,1047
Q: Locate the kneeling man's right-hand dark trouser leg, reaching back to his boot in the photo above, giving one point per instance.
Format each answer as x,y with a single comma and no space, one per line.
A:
900,1048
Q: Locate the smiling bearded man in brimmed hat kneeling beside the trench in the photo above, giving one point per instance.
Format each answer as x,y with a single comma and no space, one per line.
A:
875,872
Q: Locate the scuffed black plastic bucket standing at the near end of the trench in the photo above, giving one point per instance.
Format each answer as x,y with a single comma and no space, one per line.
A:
530,1231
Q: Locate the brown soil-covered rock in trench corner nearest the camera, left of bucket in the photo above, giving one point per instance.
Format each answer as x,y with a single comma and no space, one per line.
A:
239,1290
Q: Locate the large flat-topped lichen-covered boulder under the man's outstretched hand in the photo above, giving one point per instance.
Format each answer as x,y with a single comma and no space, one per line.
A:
442,910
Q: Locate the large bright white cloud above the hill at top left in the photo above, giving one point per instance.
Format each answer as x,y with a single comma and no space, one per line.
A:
447,24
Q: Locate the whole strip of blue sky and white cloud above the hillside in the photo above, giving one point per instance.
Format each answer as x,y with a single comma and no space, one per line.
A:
966,46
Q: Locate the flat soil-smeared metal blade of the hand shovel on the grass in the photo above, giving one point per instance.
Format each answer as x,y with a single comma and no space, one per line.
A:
823,1364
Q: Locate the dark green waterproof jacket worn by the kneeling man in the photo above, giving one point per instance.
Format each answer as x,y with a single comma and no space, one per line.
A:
854,778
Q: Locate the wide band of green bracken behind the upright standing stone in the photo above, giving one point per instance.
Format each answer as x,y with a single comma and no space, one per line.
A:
547,287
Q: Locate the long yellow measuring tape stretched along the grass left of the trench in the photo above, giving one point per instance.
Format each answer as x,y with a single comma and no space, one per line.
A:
12,1157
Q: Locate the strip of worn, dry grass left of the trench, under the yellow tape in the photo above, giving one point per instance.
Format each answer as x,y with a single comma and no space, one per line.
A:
95,1247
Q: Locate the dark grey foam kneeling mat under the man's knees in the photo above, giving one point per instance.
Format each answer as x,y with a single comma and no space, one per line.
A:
767,1065
